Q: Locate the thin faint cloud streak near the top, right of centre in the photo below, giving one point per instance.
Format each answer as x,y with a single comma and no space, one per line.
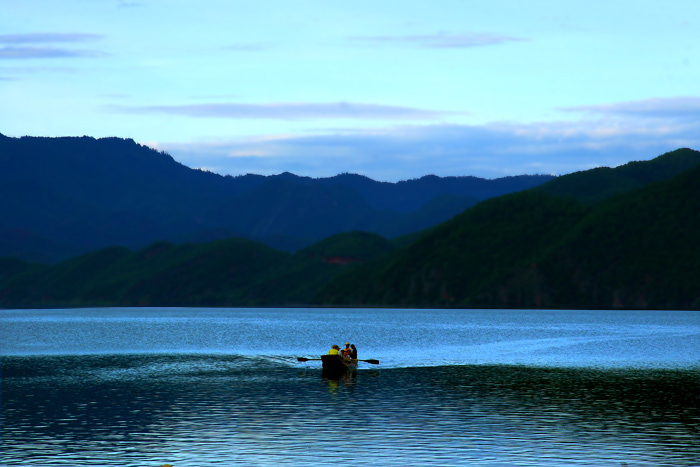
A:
442,40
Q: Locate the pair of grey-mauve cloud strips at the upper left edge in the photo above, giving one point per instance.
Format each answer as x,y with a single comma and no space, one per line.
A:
38,46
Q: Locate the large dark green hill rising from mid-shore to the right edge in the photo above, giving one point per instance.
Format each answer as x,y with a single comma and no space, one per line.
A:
634,248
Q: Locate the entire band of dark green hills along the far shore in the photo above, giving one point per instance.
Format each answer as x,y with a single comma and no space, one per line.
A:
623,237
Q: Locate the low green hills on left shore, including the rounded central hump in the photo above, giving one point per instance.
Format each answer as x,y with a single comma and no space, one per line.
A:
234,272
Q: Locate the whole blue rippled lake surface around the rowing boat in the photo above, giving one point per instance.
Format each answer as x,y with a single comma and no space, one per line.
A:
200,387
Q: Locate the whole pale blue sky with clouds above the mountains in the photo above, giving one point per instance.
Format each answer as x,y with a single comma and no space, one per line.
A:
393,90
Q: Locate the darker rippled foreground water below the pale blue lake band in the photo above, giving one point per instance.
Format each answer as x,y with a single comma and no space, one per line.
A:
195,411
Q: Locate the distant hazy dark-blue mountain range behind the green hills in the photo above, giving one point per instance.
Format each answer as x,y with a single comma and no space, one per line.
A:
77,194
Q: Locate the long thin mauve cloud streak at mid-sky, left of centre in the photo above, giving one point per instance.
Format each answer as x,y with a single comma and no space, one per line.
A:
290,111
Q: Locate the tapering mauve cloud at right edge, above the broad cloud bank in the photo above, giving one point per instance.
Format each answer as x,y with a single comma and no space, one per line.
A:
680,108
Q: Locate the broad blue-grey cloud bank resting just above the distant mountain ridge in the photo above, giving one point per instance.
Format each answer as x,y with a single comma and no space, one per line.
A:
405,152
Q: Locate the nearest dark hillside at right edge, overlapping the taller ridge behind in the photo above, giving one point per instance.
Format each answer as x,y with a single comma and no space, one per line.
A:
633,251
